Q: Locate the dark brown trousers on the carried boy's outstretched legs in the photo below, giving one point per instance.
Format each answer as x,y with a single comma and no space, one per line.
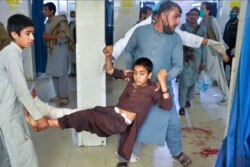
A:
103,121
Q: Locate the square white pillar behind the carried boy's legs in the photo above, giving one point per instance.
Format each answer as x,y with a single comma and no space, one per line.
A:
91,81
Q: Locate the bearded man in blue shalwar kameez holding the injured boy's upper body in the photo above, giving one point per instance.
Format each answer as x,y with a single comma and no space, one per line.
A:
163,46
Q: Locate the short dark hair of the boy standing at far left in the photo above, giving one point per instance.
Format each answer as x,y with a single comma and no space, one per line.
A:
17,22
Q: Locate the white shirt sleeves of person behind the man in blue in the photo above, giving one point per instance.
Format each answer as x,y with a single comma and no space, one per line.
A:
188,39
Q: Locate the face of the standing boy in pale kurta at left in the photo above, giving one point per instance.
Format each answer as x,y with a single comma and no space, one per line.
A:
26,38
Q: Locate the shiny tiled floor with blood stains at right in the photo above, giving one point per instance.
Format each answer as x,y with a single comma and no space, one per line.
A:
203,130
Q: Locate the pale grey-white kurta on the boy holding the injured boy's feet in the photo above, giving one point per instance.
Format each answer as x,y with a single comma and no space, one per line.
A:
14,92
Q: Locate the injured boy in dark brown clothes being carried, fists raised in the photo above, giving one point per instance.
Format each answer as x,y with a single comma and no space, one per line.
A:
126,117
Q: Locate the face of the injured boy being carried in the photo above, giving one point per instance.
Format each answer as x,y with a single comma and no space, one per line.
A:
141,75
